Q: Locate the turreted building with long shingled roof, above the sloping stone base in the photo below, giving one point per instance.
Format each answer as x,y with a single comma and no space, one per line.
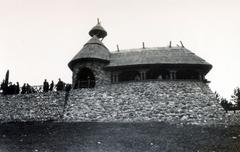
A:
94,65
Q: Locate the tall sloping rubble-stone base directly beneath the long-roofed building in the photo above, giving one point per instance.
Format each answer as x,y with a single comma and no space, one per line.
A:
171,101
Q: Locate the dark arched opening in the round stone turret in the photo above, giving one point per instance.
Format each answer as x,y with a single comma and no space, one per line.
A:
85,79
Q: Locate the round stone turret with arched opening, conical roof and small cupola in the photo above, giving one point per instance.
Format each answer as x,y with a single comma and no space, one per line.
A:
87,65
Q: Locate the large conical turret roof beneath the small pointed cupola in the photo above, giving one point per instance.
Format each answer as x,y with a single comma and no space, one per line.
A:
94,49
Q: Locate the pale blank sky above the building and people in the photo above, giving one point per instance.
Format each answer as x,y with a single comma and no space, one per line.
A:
38,38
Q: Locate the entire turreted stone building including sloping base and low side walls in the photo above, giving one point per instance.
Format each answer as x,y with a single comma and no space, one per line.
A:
171,88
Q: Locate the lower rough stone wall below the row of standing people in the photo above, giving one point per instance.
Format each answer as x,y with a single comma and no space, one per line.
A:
32,107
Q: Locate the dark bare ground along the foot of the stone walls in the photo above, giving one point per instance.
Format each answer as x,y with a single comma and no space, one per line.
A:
116,137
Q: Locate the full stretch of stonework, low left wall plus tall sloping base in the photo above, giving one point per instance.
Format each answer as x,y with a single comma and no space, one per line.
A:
170,101
